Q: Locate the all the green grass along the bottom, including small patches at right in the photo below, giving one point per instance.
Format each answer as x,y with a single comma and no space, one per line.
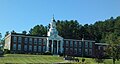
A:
26,58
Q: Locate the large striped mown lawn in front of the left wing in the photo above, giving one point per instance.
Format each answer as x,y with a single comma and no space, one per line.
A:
25,58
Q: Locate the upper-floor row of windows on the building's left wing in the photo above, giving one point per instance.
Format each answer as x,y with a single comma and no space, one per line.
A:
30,40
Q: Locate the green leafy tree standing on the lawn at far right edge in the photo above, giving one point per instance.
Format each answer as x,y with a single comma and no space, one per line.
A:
113,50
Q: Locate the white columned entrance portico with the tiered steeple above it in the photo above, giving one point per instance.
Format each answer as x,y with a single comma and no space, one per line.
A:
54,41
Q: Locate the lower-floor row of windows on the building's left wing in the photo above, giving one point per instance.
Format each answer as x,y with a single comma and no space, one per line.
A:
30,48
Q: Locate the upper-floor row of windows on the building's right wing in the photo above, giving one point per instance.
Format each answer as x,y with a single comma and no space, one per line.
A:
80,44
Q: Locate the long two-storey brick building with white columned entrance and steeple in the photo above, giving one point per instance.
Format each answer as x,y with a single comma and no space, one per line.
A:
23,43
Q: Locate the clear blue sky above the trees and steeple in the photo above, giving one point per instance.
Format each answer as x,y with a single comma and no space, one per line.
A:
22,15
